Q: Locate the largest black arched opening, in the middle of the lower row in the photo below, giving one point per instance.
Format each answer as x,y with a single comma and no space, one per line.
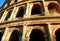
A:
37,35
